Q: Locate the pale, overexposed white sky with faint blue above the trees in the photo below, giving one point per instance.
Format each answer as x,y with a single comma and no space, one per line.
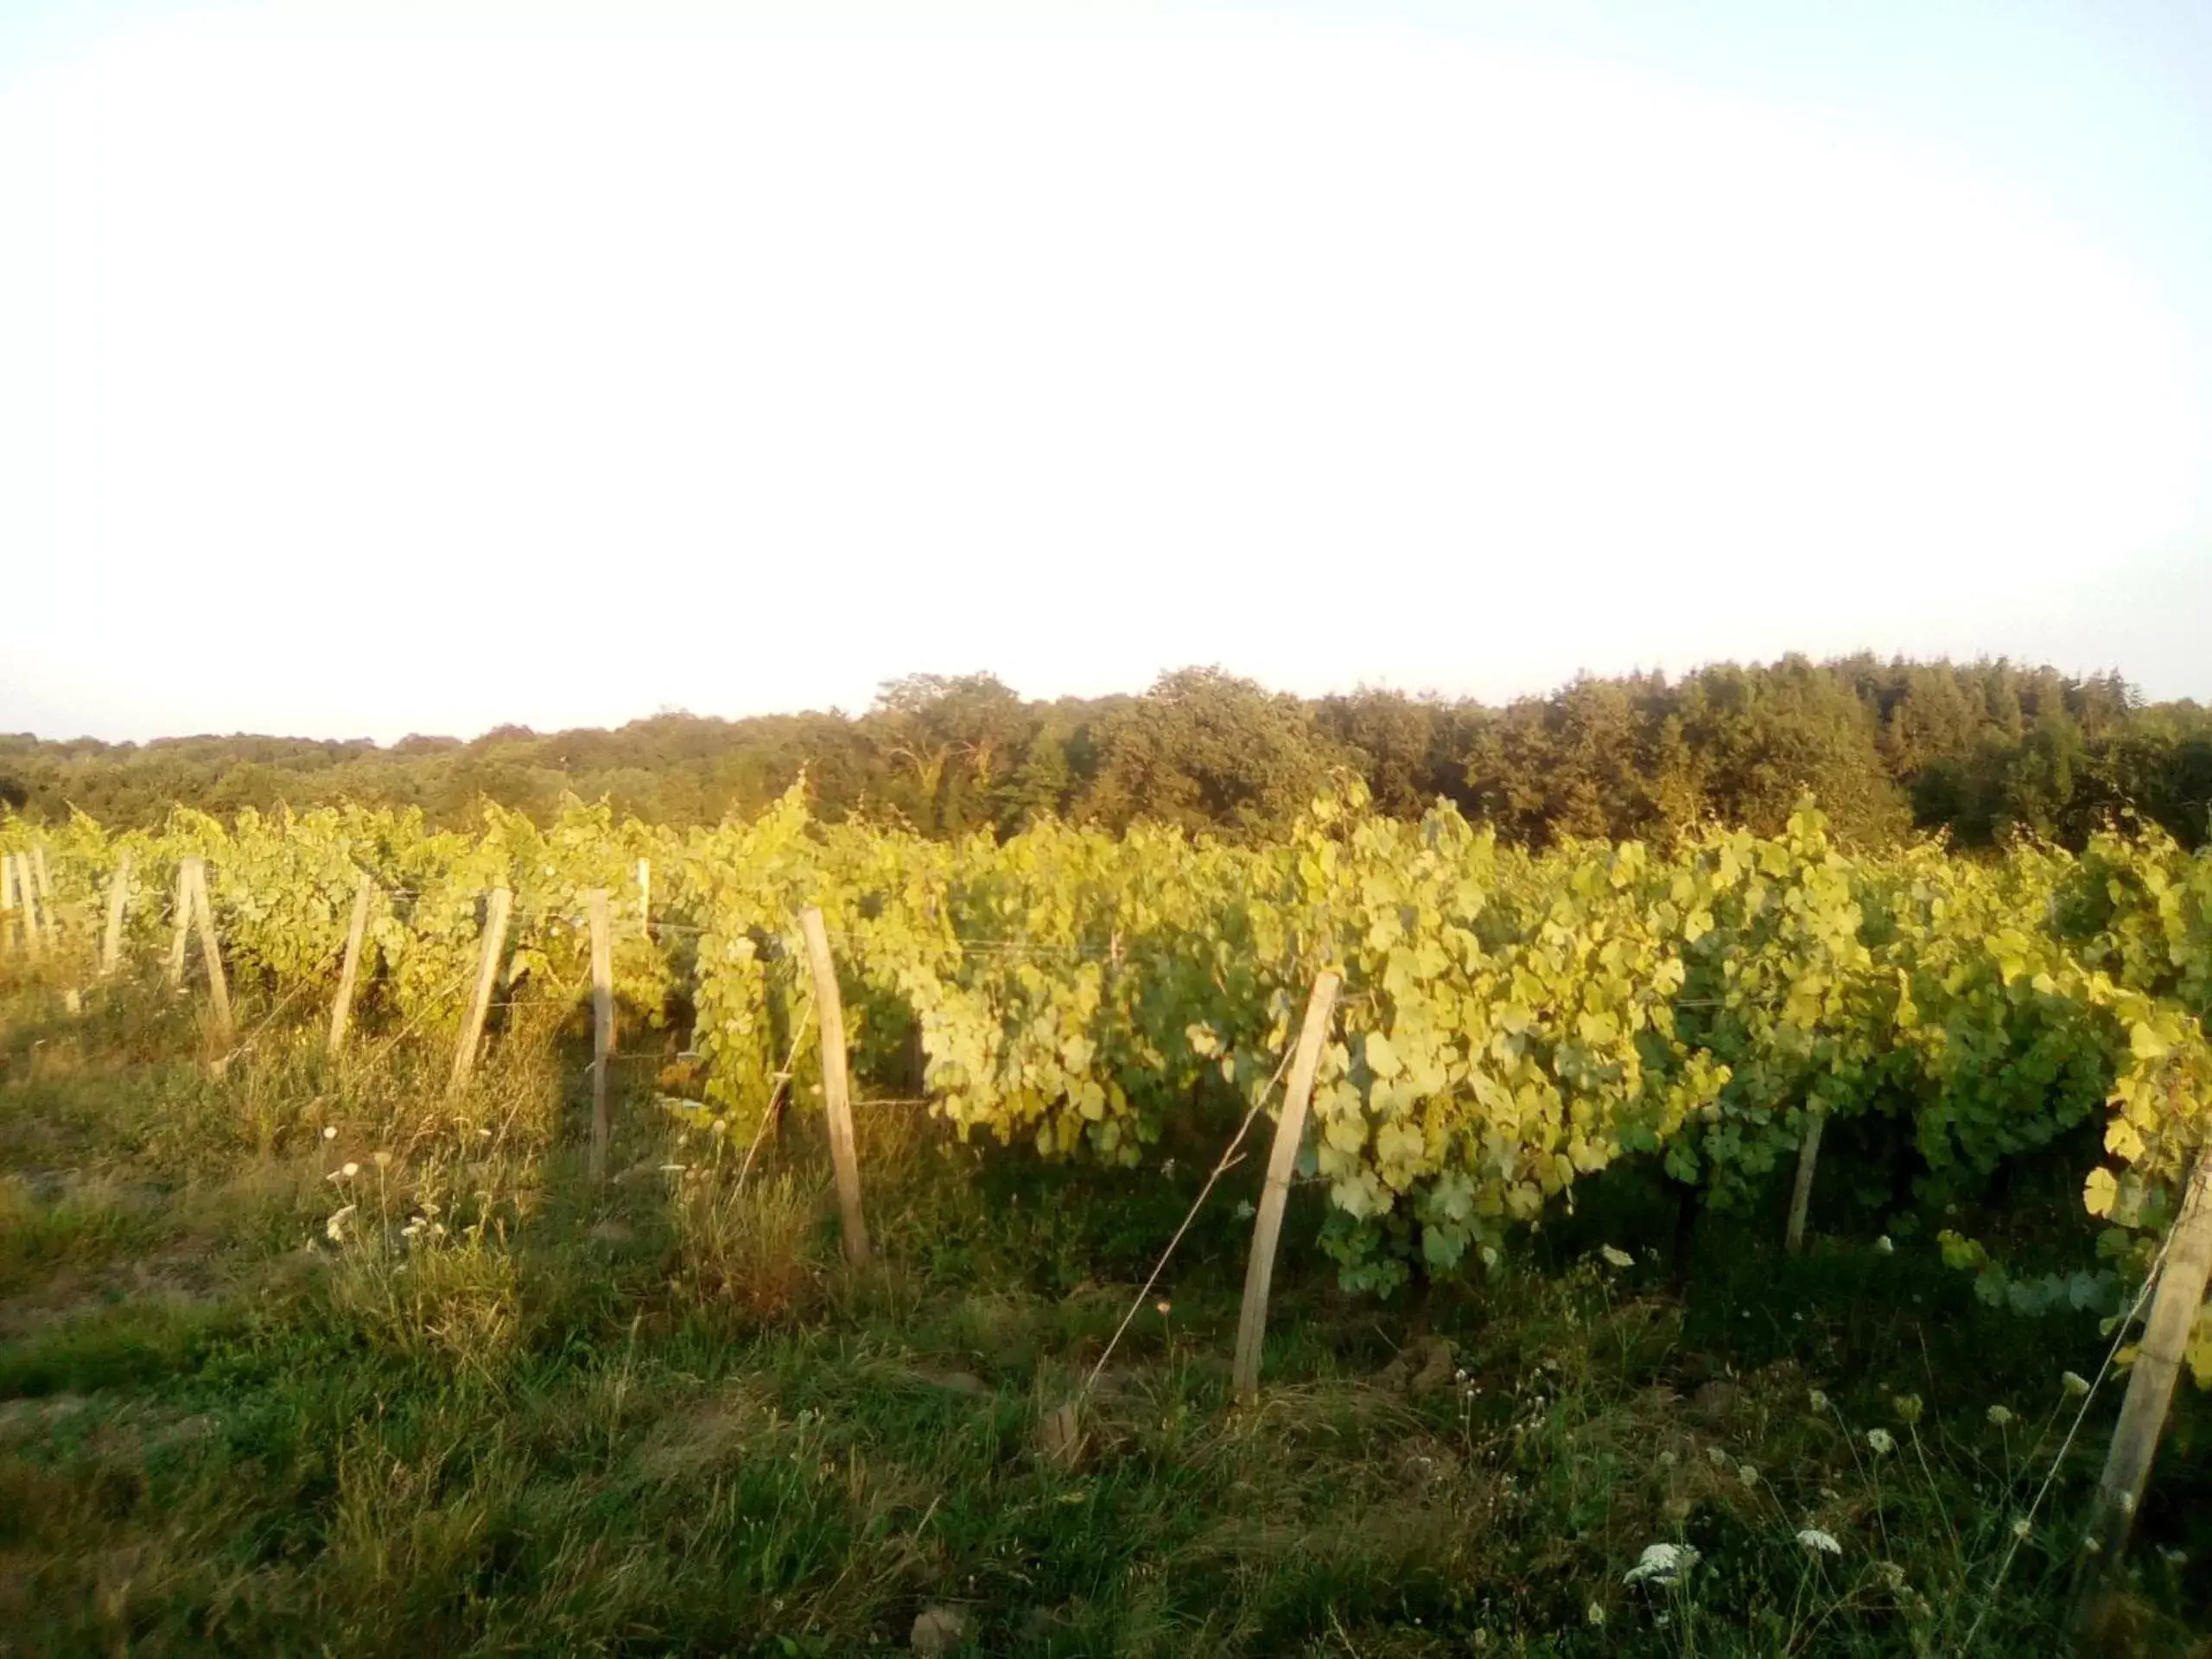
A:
430,366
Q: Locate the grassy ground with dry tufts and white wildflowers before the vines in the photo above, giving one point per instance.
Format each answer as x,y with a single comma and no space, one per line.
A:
302,1359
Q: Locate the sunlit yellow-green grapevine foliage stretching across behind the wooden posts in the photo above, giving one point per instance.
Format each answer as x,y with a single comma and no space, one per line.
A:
1510,1021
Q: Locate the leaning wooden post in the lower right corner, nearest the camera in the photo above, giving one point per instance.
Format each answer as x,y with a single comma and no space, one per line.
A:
2151,1392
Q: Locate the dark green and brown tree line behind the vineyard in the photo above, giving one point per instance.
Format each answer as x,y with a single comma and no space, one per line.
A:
1981,751
